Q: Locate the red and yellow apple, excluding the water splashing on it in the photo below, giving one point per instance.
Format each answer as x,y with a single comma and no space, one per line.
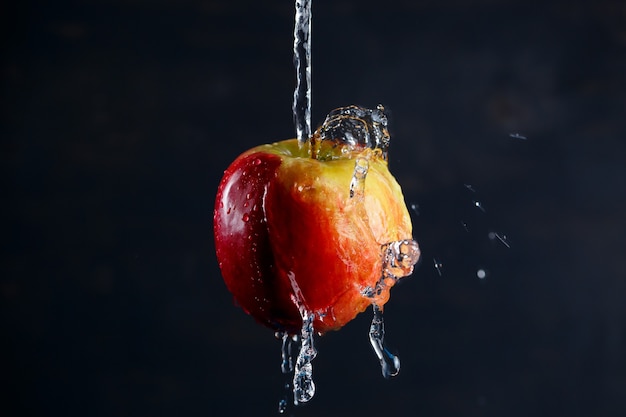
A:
288,235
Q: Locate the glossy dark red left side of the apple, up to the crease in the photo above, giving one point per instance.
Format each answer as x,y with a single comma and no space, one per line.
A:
243,245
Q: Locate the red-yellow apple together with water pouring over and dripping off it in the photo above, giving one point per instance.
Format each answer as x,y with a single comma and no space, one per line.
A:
310,232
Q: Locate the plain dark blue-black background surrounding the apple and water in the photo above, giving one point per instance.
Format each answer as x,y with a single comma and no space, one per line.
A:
119,117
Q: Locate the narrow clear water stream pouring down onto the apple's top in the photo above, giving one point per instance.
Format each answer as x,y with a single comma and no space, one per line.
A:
302,60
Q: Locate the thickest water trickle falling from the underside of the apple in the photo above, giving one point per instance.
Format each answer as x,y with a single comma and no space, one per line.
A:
303,385
